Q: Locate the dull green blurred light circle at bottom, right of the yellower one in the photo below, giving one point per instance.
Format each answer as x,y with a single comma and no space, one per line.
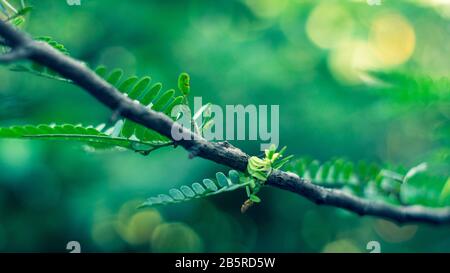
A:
176,237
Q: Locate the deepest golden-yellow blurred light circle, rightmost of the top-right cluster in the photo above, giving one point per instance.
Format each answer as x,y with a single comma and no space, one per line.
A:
393,39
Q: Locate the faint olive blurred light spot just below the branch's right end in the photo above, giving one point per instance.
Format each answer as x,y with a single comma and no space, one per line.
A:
393,233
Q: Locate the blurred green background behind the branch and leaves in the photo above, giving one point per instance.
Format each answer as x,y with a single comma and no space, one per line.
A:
309,57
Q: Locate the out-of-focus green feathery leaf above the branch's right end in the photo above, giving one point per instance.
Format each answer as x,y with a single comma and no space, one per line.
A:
398,186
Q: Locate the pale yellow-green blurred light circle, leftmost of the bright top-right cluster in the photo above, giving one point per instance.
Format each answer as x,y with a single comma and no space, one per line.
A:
329,24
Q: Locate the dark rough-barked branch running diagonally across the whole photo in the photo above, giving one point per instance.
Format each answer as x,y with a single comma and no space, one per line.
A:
222,152
